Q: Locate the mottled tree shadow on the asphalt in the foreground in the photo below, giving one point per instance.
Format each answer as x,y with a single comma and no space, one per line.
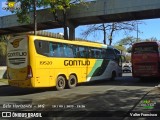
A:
111,100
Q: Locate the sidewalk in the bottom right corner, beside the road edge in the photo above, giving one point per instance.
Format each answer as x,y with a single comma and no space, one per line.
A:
147,108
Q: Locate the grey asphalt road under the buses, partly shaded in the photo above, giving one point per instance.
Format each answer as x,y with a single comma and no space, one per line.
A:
119,95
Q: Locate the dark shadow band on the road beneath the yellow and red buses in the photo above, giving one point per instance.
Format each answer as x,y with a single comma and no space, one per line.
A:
121,81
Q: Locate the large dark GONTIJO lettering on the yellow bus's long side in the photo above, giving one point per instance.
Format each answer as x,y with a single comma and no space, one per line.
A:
76,62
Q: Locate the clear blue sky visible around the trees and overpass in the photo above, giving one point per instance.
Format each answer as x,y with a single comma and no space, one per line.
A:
149,29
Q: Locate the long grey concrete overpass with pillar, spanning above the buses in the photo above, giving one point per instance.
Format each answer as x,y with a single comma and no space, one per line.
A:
101,11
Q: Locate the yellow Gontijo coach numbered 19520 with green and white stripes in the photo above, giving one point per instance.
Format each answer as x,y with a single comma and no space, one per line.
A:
38,61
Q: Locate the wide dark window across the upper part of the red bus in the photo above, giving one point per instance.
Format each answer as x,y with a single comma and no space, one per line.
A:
145,49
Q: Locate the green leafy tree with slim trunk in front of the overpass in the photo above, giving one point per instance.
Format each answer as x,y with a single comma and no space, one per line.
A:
62,6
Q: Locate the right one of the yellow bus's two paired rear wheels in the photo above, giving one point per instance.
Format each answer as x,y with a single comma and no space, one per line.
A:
72,81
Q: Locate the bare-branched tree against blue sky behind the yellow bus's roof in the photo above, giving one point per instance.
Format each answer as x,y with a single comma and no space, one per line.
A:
111,28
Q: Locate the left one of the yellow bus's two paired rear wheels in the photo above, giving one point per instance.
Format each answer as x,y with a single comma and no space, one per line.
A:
60,83
